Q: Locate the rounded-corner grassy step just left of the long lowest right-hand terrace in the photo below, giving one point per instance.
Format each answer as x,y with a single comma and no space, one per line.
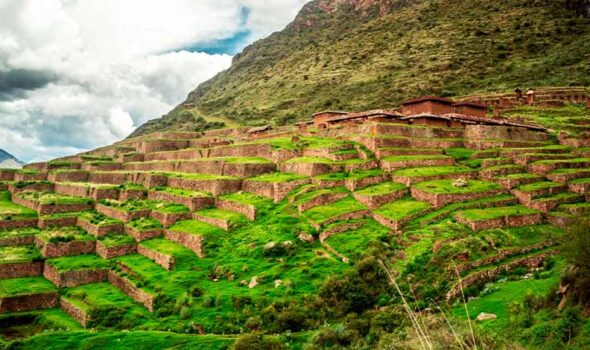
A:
395,214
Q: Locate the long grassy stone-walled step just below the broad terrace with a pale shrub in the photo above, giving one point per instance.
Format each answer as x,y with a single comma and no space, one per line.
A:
511,216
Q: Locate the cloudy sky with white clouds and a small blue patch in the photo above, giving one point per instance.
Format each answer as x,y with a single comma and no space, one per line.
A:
79,74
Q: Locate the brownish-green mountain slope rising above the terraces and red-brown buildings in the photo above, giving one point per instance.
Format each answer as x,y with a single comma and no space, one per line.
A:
365,54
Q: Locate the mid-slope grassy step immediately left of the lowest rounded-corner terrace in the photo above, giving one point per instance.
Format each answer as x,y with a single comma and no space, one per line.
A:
343,209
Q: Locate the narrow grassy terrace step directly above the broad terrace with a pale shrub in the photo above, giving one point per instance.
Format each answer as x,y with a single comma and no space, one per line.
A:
413,175
